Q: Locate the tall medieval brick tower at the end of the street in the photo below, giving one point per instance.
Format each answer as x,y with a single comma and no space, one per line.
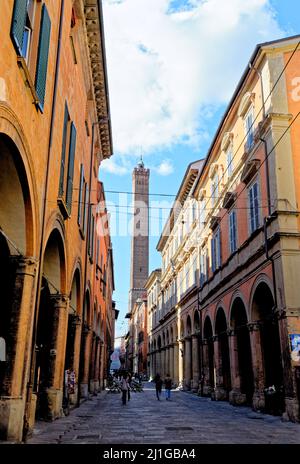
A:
140,234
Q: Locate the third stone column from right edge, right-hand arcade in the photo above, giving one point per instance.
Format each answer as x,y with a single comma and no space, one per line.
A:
235,395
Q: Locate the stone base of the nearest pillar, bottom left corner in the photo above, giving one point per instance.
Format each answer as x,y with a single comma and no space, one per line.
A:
11,418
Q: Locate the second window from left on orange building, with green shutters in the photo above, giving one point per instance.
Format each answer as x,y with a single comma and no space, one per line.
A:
66,176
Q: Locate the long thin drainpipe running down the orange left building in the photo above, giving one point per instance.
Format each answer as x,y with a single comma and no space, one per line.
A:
39,274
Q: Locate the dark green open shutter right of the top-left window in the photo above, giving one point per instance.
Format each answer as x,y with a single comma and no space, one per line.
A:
42,61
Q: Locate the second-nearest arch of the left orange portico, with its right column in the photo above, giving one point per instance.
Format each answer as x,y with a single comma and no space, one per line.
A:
51,332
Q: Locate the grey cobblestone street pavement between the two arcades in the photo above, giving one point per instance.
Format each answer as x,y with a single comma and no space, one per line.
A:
186,419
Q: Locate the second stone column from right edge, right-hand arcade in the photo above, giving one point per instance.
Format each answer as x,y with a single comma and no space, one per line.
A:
258,368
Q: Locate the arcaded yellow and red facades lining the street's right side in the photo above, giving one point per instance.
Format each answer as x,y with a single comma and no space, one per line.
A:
230,249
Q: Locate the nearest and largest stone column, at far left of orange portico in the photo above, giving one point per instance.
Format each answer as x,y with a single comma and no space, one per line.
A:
18,350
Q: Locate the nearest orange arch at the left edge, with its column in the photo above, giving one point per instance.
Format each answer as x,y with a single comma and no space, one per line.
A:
17,278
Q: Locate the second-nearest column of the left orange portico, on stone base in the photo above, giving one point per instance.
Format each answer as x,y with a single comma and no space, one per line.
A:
59,304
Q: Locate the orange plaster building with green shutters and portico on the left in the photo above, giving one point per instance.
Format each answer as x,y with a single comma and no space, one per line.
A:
54,131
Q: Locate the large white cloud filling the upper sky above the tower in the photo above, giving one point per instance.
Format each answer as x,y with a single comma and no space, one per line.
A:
166,65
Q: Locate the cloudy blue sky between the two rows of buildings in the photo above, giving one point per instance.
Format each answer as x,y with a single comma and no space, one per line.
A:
172,68
